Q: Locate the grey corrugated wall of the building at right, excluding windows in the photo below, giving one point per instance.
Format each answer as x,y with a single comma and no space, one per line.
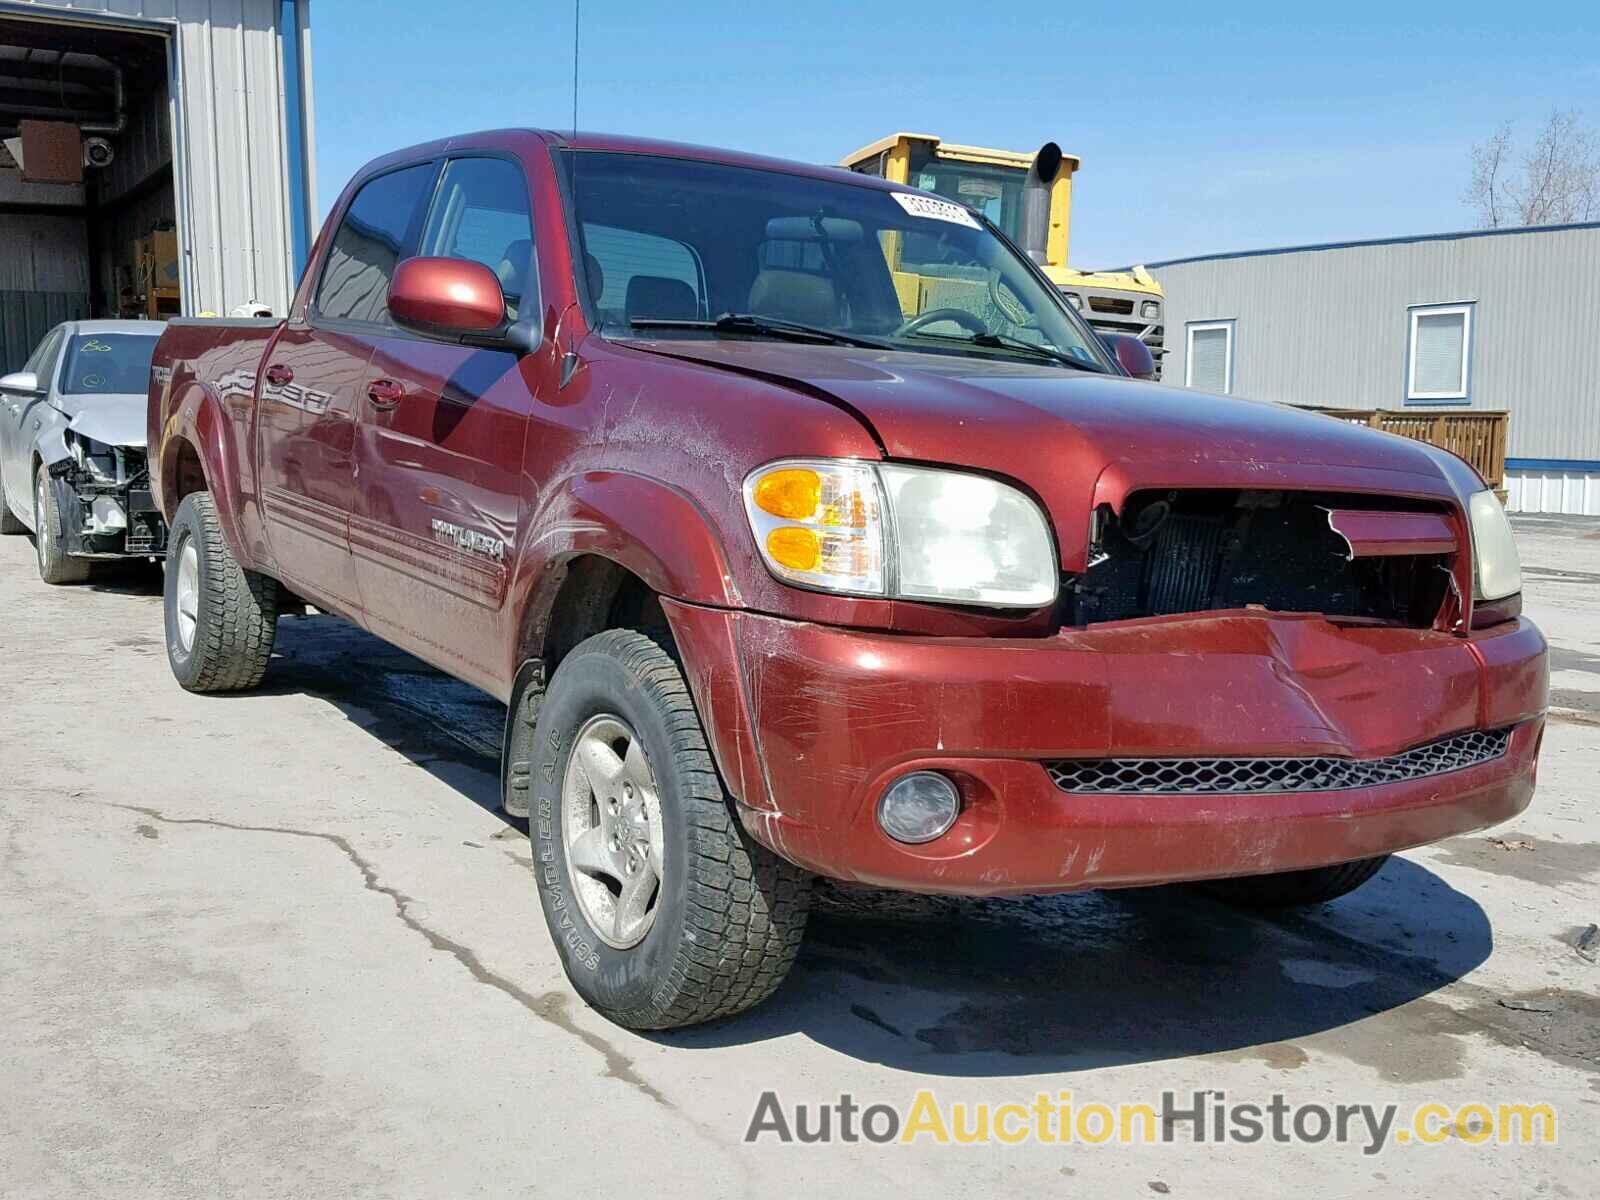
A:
1329,327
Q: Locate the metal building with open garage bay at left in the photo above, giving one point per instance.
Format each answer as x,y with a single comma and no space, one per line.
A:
156,158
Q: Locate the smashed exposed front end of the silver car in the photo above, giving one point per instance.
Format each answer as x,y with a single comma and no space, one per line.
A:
108,511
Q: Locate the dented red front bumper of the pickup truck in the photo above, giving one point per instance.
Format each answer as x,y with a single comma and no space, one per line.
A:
1358,727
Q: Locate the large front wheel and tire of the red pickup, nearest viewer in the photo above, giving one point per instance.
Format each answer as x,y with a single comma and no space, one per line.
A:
663,911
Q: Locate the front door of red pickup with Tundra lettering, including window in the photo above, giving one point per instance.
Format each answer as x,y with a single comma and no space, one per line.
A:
441,441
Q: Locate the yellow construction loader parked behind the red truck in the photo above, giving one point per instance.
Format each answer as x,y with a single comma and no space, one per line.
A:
1030,198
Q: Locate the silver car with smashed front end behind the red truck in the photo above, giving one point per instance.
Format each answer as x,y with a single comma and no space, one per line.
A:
73,449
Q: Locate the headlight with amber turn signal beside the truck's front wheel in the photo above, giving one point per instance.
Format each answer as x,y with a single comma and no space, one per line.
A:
890,530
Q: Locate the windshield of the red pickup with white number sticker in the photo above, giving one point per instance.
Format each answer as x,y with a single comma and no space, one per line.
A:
673,246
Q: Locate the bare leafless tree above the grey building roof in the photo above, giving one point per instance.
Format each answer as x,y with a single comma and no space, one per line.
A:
1556,183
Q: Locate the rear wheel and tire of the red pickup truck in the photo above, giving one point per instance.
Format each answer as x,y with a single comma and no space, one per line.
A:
222,620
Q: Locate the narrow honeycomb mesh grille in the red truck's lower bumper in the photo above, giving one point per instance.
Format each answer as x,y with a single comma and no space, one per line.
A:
1231,777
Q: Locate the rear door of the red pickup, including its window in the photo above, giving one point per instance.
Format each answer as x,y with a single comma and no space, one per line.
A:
313,386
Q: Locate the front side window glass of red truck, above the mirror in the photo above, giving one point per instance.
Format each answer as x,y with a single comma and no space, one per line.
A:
481,214
